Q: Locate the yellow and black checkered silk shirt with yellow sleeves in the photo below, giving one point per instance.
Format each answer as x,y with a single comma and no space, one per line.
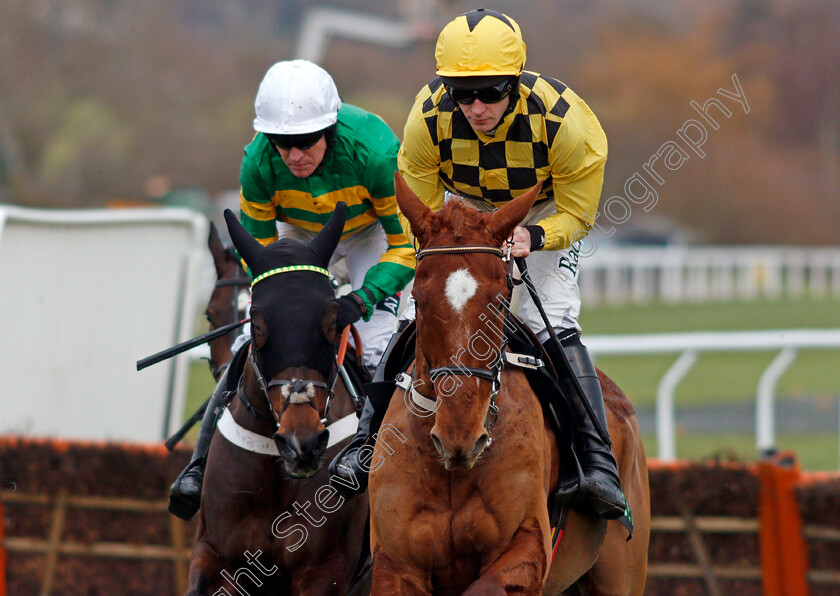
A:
549,136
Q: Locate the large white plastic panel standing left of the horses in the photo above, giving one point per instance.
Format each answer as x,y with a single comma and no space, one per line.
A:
83,296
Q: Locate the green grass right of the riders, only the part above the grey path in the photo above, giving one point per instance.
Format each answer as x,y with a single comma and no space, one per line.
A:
719,377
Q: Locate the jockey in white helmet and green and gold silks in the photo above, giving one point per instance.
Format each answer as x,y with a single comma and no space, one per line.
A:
310,153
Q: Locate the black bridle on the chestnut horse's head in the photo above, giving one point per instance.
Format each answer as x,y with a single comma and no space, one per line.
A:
492,375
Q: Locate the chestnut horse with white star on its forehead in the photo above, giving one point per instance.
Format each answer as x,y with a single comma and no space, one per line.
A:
460,506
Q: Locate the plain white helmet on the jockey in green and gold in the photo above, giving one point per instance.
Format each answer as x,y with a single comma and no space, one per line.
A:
296,97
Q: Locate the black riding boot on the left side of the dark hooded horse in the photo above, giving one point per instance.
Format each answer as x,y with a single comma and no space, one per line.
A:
185,494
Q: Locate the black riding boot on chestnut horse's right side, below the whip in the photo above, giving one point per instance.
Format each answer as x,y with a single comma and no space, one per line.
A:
601,489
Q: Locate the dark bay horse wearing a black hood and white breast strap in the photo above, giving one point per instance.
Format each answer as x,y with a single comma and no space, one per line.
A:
269,521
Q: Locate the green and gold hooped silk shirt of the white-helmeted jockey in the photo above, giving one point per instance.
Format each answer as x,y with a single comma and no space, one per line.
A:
359,171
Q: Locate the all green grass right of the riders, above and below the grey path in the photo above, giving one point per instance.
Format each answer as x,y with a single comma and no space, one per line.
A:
726,377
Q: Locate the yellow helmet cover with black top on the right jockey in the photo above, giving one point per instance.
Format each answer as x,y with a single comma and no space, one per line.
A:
480,42
